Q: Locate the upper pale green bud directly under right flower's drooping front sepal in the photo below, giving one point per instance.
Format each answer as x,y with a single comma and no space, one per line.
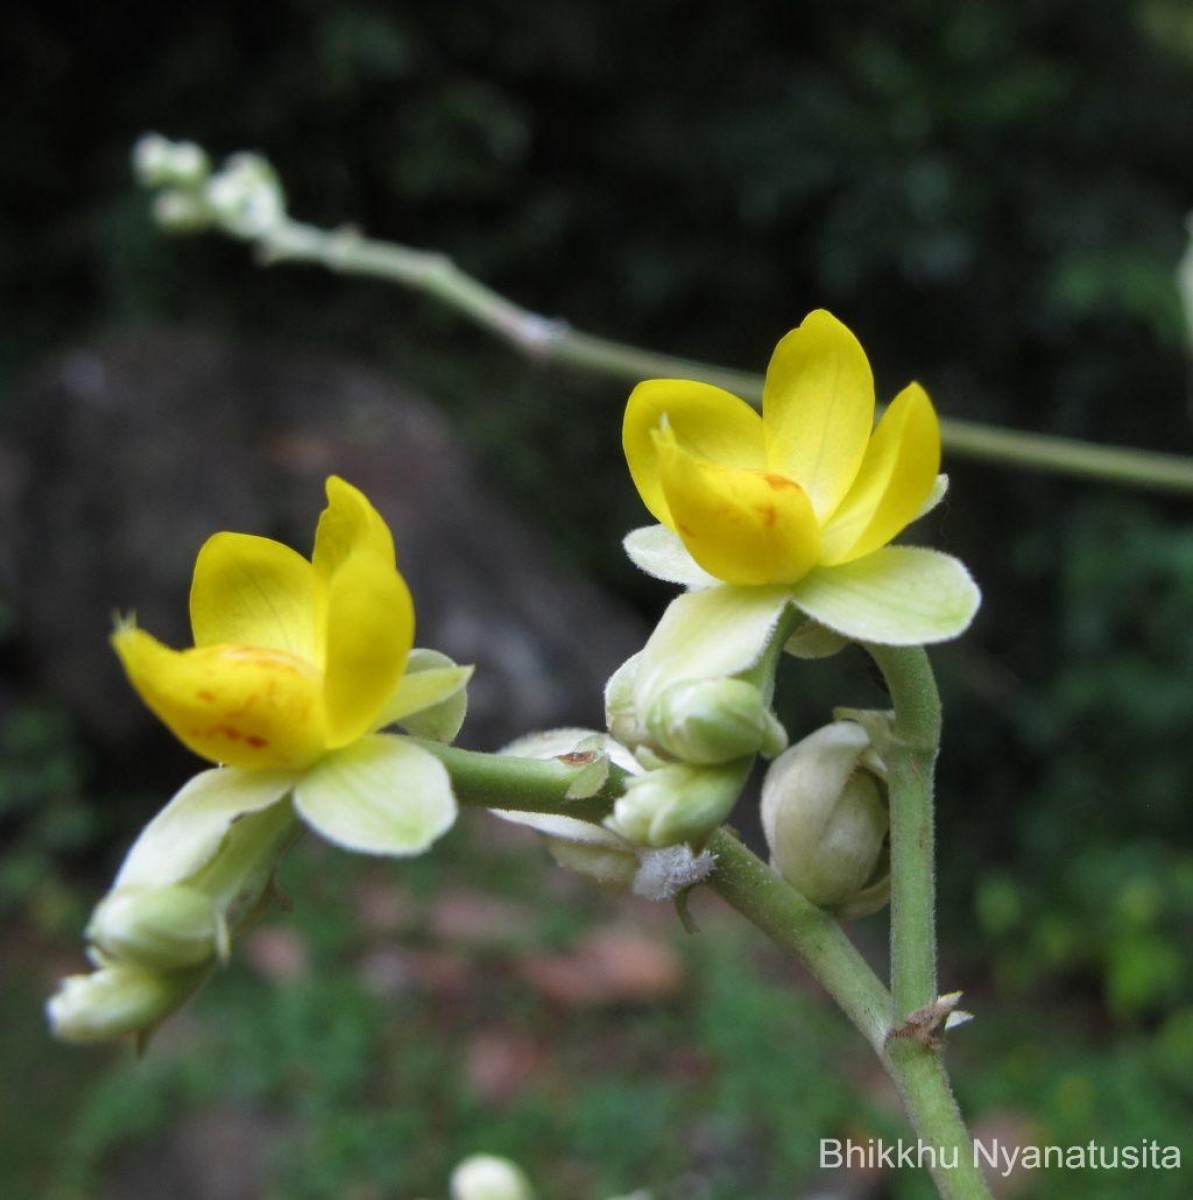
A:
715,721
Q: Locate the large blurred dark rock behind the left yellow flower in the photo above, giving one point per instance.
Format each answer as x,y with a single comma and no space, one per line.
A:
119,460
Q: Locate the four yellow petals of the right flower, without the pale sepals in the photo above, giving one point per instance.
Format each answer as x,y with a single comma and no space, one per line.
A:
764,500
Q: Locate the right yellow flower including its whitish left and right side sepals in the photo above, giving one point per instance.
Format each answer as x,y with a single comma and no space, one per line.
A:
804,499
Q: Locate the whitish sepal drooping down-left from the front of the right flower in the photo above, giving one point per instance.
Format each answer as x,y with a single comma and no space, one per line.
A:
704,635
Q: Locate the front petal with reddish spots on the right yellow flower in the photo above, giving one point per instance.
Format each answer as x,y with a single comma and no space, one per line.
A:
746,527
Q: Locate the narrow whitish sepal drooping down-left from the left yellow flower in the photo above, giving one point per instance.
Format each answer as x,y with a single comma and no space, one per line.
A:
185,836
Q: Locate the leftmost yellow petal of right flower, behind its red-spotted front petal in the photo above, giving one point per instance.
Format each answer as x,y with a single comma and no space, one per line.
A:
712,423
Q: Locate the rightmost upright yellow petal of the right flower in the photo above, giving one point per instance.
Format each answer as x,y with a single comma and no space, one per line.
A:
897,476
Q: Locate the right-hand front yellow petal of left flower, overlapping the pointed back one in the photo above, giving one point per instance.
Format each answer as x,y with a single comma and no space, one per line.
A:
370,631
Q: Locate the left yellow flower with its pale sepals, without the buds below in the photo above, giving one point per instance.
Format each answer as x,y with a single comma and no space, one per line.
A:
296,668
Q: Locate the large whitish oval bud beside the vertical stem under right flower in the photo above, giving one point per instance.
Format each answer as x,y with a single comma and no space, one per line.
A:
826,820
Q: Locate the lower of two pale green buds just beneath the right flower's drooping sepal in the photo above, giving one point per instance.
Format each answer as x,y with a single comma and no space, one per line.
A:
678,803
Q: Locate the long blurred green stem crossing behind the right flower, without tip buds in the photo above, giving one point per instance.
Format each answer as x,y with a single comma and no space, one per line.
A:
556,343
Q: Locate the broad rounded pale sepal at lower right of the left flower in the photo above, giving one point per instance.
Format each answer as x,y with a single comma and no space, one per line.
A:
380,796
